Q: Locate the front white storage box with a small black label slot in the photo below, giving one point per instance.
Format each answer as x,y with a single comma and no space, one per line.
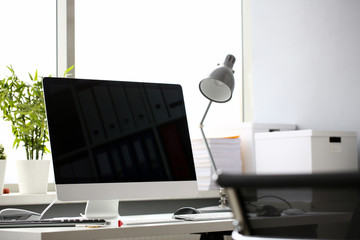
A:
306,151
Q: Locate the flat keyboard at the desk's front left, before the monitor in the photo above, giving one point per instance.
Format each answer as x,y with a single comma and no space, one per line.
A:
54,222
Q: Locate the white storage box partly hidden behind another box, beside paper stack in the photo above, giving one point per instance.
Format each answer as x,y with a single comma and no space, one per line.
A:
247,132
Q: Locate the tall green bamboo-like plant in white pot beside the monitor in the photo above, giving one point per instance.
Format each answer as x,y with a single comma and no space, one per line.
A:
22,103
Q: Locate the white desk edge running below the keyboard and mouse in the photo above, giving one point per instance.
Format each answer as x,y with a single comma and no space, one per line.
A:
82,233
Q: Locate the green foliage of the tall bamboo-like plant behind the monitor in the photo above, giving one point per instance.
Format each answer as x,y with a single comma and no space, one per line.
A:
22,103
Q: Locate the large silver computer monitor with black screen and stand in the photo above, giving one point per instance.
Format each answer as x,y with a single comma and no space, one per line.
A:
113,140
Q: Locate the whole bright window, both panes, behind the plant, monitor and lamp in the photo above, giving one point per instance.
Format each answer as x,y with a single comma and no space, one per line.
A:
178,41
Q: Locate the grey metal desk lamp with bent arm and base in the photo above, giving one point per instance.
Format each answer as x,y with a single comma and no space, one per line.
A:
218,87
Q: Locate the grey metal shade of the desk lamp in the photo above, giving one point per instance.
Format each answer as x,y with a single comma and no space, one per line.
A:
218,87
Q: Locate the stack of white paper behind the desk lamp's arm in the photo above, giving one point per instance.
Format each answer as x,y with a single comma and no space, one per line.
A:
226,154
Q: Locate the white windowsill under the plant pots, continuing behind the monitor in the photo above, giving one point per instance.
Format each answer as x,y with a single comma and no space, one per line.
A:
37,199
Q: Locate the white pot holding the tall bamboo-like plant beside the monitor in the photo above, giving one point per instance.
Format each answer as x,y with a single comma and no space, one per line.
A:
33,176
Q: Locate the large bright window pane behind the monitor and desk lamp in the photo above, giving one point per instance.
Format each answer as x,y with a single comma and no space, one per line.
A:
178,41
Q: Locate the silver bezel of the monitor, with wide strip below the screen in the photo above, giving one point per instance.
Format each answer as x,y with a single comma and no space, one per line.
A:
123,190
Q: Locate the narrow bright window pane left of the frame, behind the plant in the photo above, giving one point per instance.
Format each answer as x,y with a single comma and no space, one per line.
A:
28,42
